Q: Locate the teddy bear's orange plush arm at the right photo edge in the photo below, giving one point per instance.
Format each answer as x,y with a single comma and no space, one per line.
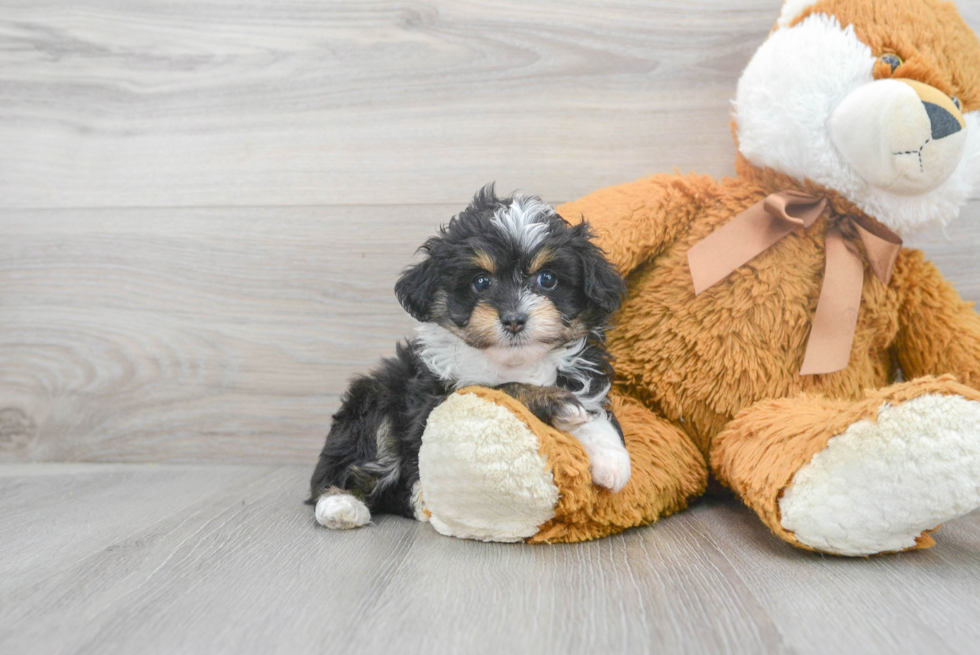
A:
938,331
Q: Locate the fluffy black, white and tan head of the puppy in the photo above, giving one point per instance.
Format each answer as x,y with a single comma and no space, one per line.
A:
511,273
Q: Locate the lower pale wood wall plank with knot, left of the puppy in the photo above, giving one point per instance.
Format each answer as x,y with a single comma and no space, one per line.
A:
190,335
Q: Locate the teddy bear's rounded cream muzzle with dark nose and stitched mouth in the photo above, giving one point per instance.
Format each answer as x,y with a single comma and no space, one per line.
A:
899,135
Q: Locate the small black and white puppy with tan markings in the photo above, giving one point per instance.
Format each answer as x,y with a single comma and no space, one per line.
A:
510,296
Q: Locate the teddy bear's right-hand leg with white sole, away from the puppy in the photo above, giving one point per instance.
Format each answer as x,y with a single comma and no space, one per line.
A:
857,478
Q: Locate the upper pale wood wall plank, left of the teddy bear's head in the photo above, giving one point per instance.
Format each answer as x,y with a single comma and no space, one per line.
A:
294,102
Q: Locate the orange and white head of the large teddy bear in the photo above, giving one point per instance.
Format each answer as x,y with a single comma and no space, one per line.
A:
875,99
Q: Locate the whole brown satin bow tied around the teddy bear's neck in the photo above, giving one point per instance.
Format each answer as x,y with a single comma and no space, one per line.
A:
768,221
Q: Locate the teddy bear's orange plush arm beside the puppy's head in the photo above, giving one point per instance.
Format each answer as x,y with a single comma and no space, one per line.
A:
636,221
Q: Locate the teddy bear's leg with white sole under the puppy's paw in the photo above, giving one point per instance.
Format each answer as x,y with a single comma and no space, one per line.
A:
491,471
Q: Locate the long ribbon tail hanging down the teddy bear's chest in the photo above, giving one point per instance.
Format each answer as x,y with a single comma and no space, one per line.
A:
832,332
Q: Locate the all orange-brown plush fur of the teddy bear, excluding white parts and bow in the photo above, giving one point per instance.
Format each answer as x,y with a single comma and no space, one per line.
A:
715,377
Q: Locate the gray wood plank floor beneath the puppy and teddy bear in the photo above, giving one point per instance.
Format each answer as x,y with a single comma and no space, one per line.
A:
122,558
